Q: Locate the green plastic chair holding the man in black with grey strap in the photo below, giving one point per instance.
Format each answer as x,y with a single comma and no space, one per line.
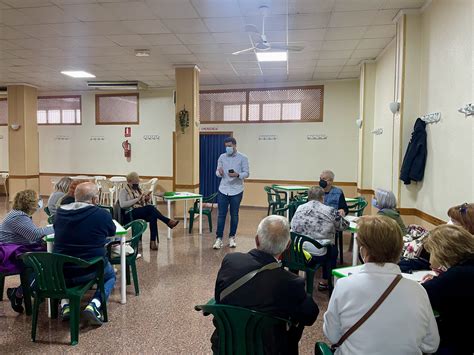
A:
240,329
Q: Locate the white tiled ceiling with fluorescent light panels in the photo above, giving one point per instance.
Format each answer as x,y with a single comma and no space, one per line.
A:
39,38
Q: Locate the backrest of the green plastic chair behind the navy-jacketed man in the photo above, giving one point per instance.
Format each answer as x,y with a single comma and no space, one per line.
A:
48,269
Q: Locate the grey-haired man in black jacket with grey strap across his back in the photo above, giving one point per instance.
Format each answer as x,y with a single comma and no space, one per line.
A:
274,290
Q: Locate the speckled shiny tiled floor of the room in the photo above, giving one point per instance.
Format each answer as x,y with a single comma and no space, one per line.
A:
162,319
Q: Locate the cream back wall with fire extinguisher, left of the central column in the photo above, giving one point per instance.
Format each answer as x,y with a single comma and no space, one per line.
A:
82,155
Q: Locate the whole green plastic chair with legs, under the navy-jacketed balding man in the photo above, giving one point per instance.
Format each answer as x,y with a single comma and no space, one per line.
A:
50,283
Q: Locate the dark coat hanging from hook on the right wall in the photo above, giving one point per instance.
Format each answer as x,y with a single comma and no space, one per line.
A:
413,167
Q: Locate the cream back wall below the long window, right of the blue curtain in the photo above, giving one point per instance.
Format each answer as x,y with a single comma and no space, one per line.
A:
292,156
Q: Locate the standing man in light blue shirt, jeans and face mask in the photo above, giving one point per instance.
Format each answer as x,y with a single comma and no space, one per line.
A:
233,168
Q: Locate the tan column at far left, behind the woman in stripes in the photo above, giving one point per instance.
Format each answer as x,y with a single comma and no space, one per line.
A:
23,149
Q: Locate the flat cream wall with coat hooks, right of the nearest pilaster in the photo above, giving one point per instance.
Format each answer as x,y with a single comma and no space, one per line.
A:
446,85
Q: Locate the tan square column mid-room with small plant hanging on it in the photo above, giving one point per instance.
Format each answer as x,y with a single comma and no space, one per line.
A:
186,140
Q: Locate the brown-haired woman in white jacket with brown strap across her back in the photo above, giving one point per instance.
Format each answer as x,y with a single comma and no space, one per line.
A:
404,322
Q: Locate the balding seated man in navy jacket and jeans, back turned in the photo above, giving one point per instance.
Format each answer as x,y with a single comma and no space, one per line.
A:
81,230
